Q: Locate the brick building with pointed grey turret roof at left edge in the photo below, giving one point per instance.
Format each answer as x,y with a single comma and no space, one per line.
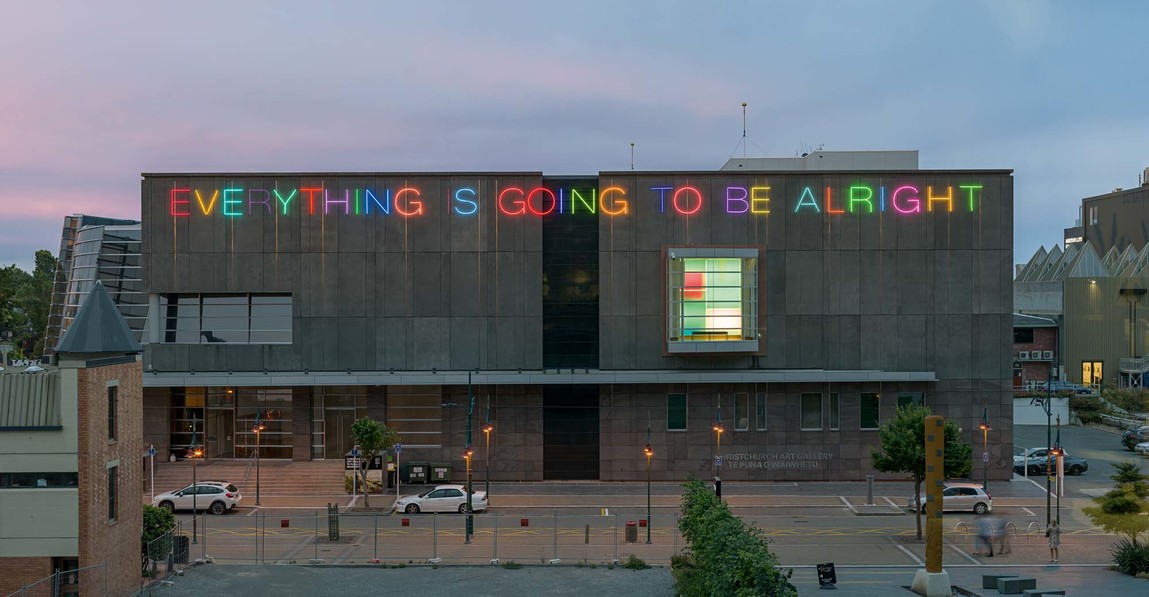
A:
71,453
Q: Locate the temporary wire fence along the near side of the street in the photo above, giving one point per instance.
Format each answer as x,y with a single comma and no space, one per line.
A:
398,540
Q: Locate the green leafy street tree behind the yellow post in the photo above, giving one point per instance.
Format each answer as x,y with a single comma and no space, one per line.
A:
904,451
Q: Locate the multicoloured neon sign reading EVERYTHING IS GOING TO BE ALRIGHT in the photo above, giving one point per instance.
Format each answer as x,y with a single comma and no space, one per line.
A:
516,201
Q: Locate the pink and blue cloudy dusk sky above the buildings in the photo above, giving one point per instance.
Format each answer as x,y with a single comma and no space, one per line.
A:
95,94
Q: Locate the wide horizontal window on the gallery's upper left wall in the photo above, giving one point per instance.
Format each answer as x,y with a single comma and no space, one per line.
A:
233,319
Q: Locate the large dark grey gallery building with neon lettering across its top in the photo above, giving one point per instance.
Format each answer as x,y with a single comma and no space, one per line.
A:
795,305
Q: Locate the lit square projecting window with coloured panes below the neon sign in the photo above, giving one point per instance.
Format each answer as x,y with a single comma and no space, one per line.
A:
713,300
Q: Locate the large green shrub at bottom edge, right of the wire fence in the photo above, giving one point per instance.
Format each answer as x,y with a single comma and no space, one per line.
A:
726,555
